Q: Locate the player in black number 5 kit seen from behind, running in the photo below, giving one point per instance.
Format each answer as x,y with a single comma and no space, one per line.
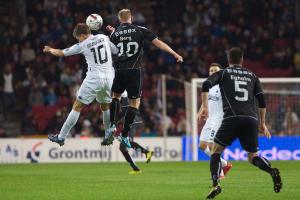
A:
240,89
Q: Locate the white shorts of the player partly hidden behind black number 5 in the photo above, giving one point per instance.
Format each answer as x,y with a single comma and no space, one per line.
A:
210,129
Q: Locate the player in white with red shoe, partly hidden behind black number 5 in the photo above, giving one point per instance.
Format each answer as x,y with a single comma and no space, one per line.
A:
213,123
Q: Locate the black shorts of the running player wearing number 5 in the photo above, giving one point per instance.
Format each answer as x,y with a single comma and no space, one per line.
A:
243,128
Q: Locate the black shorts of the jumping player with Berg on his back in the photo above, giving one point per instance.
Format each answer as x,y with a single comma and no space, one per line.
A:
129,80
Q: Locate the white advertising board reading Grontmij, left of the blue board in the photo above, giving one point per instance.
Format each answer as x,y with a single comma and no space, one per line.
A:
83,150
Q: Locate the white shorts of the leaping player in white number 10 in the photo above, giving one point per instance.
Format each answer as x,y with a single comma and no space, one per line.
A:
95,88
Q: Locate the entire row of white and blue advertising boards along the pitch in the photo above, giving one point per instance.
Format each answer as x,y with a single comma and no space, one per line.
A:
169,149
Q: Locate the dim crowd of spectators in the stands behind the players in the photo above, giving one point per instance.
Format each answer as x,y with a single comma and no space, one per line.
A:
43,87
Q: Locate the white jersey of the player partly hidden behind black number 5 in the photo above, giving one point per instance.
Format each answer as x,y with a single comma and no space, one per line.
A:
215,104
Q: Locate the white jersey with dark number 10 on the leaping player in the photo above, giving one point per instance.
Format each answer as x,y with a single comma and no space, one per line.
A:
97,50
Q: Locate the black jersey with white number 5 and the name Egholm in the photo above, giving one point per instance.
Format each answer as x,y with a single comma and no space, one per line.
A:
239,88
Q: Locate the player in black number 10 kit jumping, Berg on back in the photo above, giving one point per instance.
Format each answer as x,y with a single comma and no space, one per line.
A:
130,40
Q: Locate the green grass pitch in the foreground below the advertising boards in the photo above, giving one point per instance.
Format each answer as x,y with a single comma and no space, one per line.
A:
169,180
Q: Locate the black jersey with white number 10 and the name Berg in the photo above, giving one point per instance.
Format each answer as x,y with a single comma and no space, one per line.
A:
130,40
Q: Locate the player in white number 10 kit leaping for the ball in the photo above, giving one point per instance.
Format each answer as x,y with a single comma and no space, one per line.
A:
97,50
